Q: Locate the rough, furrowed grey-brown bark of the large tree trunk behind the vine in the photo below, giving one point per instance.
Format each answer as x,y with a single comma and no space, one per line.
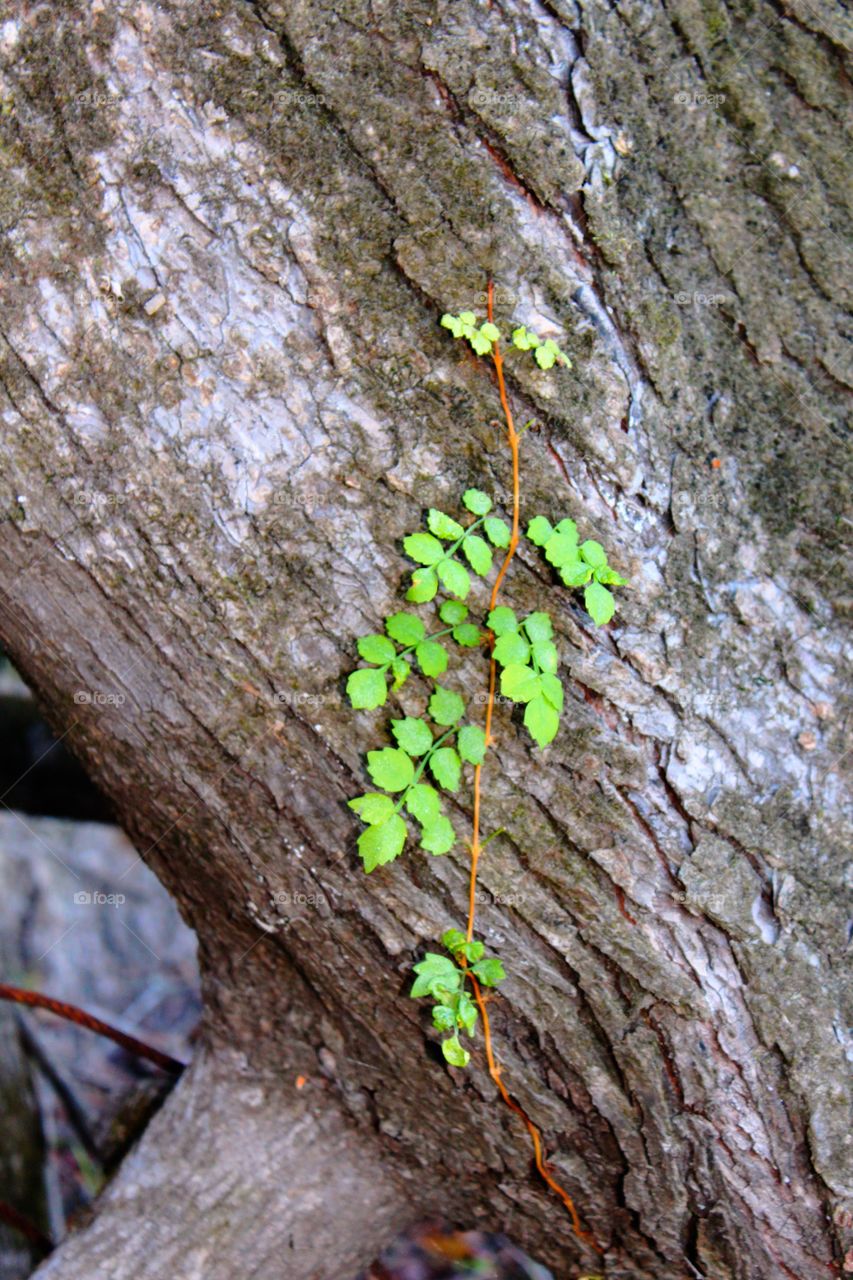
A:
231,231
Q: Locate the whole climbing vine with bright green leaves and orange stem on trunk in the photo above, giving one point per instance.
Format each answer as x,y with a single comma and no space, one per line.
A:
436,746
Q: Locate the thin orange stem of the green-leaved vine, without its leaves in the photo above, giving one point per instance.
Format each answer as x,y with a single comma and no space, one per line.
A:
495,1071
